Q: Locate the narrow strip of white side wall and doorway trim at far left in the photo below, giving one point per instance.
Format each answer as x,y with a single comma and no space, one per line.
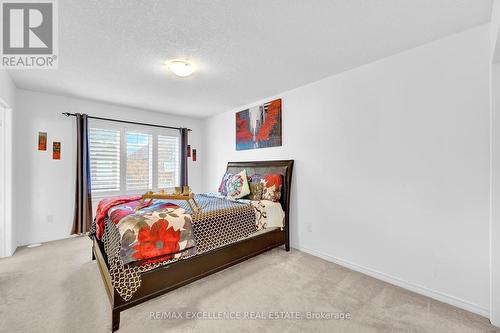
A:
7,95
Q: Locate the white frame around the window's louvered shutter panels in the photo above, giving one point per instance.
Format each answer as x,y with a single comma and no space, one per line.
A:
124,128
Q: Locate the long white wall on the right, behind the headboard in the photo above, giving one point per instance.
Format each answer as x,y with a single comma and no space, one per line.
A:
392,167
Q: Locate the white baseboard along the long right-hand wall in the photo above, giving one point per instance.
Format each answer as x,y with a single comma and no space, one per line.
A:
442,297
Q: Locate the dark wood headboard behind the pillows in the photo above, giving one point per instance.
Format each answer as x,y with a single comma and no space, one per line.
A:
284,168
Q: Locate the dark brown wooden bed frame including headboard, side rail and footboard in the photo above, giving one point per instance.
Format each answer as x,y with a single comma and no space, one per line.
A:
169,277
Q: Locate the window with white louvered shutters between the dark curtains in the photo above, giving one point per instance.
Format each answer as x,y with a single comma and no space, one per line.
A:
132,160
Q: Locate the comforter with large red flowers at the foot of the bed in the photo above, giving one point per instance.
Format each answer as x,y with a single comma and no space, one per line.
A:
151,232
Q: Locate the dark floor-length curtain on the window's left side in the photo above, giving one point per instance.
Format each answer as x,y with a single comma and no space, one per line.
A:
82,219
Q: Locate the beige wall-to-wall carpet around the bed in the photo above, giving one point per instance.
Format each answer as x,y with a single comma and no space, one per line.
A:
57,288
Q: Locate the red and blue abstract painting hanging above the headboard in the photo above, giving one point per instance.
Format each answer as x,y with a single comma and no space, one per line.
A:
259,126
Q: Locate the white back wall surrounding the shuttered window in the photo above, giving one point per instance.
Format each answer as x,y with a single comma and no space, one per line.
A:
44,188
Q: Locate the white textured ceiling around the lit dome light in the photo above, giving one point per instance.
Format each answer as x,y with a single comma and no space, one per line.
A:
244,50
